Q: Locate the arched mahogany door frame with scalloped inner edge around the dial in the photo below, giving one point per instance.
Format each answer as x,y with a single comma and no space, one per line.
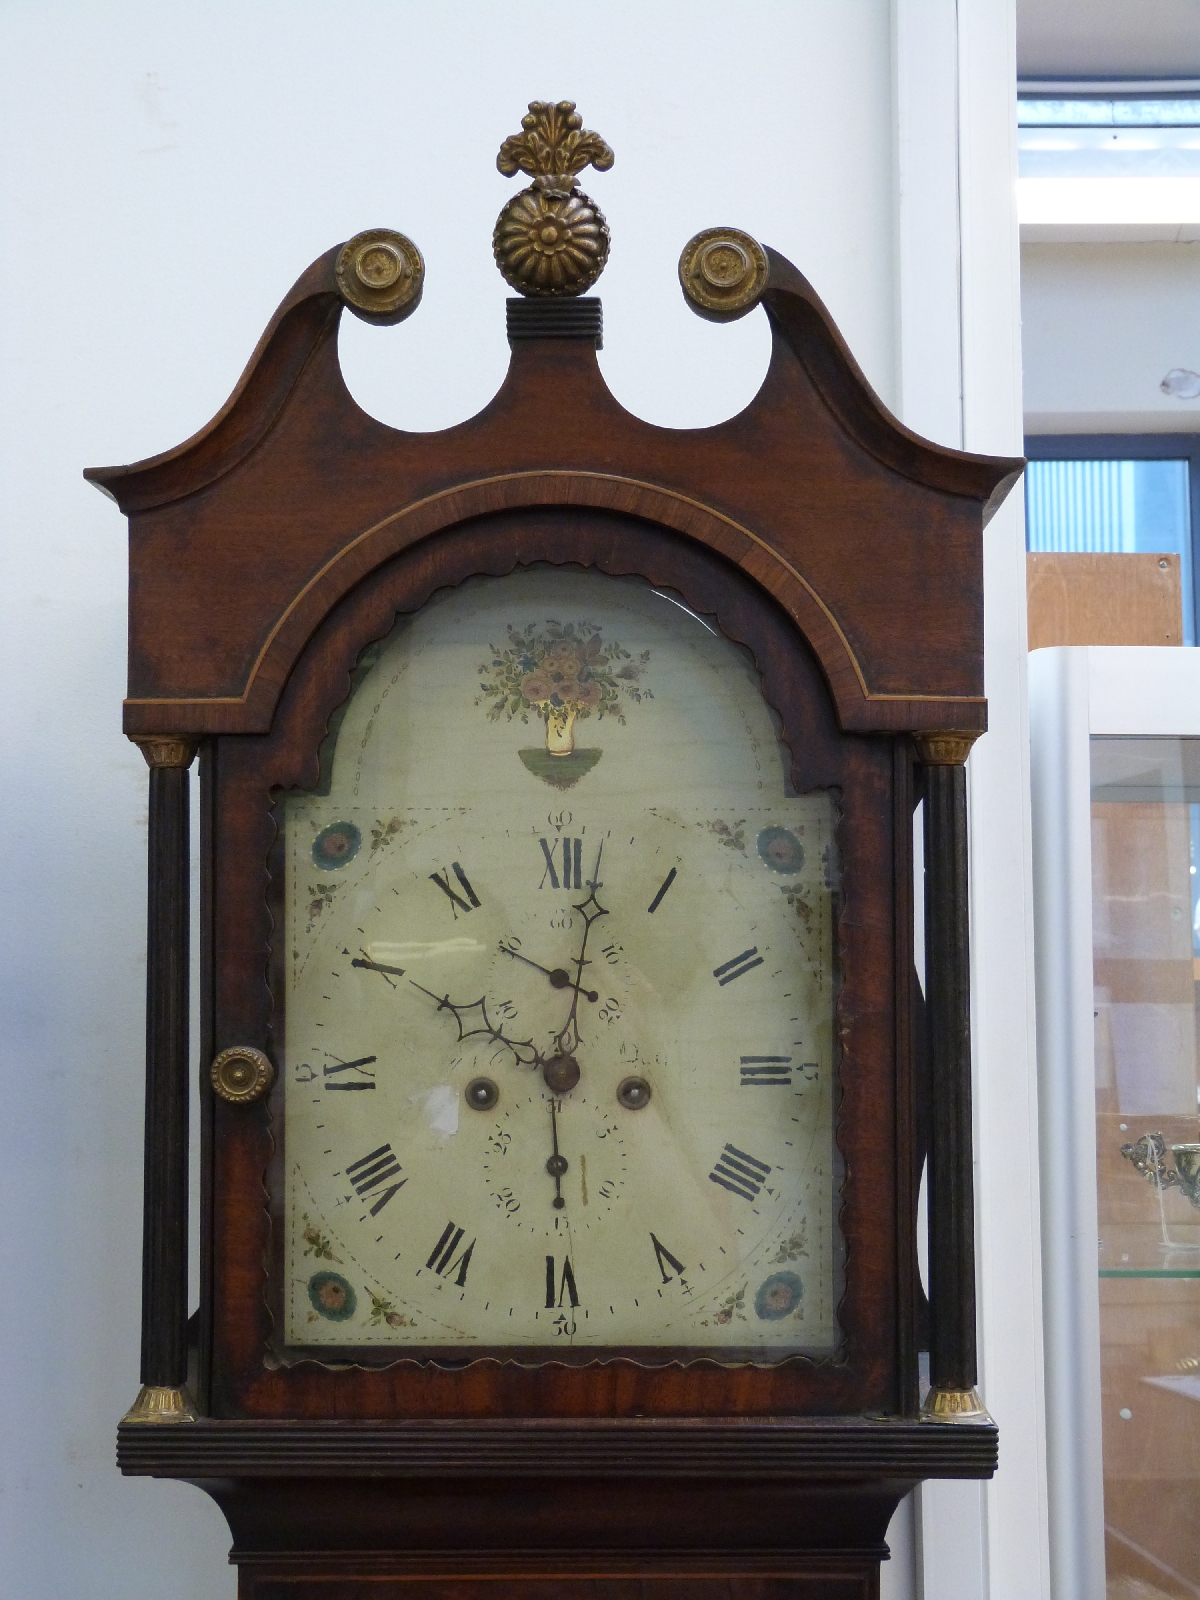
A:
874,1372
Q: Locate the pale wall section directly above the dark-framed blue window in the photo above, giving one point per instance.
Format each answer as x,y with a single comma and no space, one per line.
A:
1103,326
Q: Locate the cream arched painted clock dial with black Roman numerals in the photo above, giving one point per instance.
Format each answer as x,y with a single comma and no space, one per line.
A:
559,994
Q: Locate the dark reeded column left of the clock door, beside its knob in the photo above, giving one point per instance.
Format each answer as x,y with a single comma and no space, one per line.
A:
164,1362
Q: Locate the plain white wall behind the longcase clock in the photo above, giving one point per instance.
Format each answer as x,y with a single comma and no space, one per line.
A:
169,172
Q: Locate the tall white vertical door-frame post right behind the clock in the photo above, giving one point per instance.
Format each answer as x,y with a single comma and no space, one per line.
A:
961,382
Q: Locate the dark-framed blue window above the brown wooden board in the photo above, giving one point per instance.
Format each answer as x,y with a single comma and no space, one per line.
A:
1118,492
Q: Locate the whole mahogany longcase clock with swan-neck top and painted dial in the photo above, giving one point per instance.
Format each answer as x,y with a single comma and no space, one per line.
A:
566,1082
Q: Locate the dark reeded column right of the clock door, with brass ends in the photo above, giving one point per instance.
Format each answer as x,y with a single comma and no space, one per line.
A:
948,1007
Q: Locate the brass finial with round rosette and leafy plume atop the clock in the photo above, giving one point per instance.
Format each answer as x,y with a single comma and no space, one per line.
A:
551,239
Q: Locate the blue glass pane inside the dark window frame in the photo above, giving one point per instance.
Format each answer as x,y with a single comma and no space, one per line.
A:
1114,506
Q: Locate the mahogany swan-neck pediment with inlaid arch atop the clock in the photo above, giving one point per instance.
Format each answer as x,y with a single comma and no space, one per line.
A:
244,538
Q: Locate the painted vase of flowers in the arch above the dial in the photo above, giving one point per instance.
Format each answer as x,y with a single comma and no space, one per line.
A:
561,674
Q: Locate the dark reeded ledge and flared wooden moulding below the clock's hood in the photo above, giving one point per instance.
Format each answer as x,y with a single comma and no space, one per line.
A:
596,1510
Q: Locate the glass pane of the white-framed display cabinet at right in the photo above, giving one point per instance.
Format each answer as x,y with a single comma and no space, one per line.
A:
1146,798
